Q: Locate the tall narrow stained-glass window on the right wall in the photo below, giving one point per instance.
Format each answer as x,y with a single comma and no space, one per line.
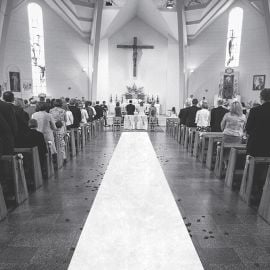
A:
234,37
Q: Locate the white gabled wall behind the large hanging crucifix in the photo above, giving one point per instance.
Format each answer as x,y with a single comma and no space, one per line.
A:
157,69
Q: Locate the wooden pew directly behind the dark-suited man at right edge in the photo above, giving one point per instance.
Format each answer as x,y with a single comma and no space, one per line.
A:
248,175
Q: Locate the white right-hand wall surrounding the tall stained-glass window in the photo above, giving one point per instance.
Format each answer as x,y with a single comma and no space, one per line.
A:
206,55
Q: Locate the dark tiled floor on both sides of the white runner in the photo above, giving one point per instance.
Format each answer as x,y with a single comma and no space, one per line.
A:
43,232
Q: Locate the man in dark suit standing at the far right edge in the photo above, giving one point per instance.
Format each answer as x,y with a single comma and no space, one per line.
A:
258,127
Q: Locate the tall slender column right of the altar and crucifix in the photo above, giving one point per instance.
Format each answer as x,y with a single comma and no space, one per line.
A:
181,40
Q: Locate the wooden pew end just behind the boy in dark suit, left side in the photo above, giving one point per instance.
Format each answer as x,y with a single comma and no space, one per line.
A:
32,168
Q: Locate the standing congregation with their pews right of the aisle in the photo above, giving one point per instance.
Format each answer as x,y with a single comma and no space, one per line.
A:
231,140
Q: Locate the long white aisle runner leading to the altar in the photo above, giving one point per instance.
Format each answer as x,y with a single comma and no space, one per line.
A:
134,223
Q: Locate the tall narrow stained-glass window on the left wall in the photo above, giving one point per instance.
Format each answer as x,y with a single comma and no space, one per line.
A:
37,48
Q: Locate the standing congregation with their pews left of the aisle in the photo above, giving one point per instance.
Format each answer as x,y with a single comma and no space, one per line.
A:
37,138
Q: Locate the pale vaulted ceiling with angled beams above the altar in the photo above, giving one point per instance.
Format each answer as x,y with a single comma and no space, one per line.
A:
198,13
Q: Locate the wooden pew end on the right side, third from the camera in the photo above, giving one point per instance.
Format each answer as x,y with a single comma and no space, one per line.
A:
235,167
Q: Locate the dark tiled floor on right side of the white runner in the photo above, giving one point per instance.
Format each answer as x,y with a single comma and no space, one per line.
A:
226,232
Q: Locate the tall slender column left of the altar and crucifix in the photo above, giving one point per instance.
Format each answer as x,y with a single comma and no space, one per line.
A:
97,29
